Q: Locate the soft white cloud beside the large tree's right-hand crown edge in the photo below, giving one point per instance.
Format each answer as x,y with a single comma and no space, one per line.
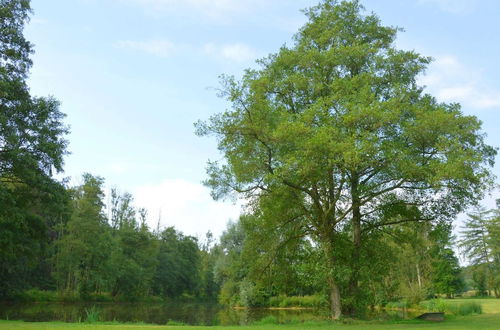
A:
451,81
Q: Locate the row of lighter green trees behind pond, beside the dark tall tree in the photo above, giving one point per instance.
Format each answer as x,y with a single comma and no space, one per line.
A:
120,255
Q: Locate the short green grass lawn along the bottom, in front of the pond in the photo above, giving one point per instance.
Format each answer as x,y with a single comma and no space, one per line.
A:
490,319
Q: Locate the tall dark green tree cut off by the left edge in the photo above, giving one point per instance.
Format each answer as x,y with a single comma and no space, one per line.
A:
32,147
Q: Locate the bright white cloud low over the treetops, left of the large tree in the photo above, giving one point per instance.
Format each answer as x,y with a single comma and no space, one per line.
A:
186,205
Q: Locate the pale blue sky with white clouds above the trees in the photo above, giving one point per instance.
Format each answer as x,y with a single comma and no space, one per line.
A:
134,75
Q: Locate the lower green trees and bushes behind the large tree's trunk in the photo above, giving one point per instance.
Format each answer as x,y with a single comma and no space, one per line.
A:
410,262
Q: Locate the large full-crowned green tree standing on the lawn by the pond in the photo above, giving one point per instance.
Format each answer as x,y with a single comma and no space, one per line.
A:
336,130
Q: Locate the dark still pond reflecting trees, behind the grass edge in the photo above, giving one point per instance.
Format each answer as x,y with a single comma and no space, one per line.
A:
193,313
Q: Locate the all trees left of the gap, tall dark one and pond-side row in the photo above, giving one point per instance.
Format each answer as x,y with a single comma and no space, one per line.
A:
57,237
